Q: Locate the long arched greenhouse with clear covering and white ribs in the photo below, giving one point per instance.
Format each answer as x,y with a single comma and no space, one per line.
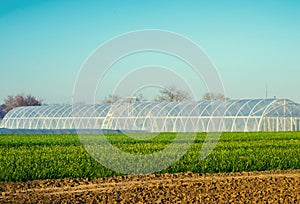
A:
202,116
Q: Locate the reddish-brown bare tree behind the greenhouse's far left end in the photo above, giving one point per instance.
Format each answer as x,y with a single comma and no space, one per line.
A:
21,100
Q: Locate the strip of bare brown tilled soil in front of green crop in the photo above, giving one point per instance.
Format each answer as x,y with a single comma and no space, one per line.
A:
254,187
